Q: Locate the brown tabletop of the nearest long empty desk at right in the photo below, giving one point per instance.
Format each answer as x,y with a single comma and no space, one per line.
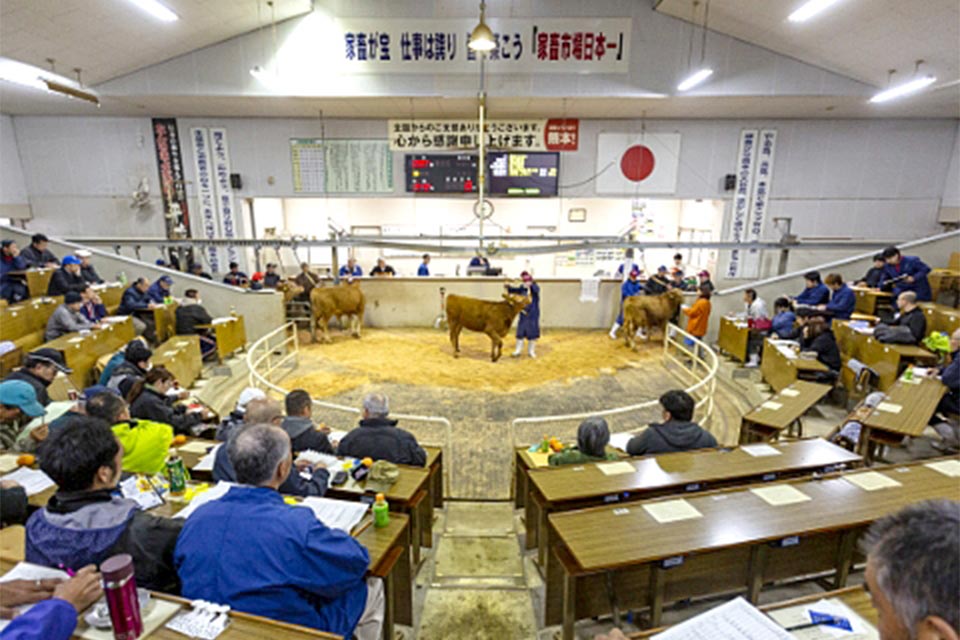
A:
738,517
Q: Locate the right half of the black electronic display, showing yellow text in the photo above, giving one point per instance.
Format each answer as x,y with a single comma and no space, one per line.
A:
523,174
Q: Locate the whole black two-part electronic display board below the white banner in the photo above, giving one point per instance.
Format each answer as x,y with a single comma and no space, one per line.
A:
508,173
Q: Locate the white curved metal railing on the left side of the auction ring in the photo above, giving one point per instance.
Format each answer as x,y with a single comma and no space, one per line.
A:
277,354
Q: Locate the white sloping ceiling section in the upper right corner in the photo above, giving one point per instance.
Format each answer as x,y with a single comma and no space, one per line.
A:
861,39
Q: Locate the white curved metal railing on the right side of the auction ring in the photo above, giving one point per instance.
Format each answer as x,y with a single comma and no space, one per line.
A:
694,361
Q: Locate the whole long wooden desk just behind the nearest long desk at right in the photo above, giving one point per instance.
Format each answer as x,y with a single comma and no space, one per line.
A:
579,486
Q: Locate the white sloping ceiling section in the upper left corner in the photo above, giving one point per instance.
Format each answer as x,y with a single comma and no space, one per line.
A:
110,38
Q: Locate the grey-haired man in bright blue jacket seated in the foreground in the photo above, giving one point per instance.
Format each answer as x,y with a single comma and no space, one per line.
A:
253,552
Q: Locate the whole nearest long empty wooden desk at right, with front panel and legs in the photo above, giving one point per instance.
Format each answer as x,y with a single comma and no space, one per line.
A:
620,555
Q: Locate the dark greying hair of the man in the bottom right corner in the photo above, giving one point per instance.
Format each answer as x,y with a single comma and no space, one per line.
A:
916,555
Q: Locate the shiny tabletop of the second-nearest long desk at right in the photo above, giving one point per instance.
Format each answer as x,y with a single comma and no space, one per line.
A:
575,482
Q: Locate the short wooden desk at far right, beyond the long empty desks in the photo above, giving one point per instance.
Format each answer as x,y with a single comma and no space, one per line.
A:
916,402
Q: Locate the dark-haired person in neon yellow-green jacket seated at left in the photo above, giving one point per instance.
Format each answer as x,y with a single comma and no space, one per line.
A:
145,443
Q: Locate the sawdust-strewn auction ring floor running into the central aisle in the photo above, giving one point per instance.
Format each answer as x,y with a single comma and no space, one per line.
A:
575,371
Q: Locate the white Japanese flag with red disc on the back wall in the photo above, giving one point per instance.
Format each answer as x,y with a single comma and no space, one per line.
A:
637,164
